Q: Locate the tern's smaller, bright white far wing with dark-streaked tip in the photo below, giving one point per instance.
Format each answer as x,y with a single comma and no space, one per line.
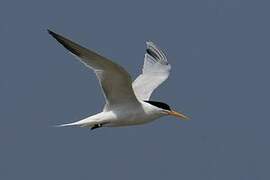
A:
156,70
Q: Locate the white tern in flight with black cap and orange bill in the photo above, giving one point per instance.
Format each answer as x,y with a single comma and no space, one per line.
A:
127,103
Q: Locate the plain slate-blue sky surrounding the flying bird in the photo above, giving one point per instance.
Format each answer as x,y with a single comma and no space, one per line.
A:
219,52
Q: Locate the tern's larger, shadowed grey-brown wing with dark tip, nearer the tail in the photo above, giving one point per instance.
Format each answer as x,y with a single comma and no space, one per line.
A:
114,80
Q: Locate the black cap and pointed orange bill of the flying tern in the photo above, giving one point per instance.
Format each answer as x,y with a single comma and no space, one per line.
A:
166,109
